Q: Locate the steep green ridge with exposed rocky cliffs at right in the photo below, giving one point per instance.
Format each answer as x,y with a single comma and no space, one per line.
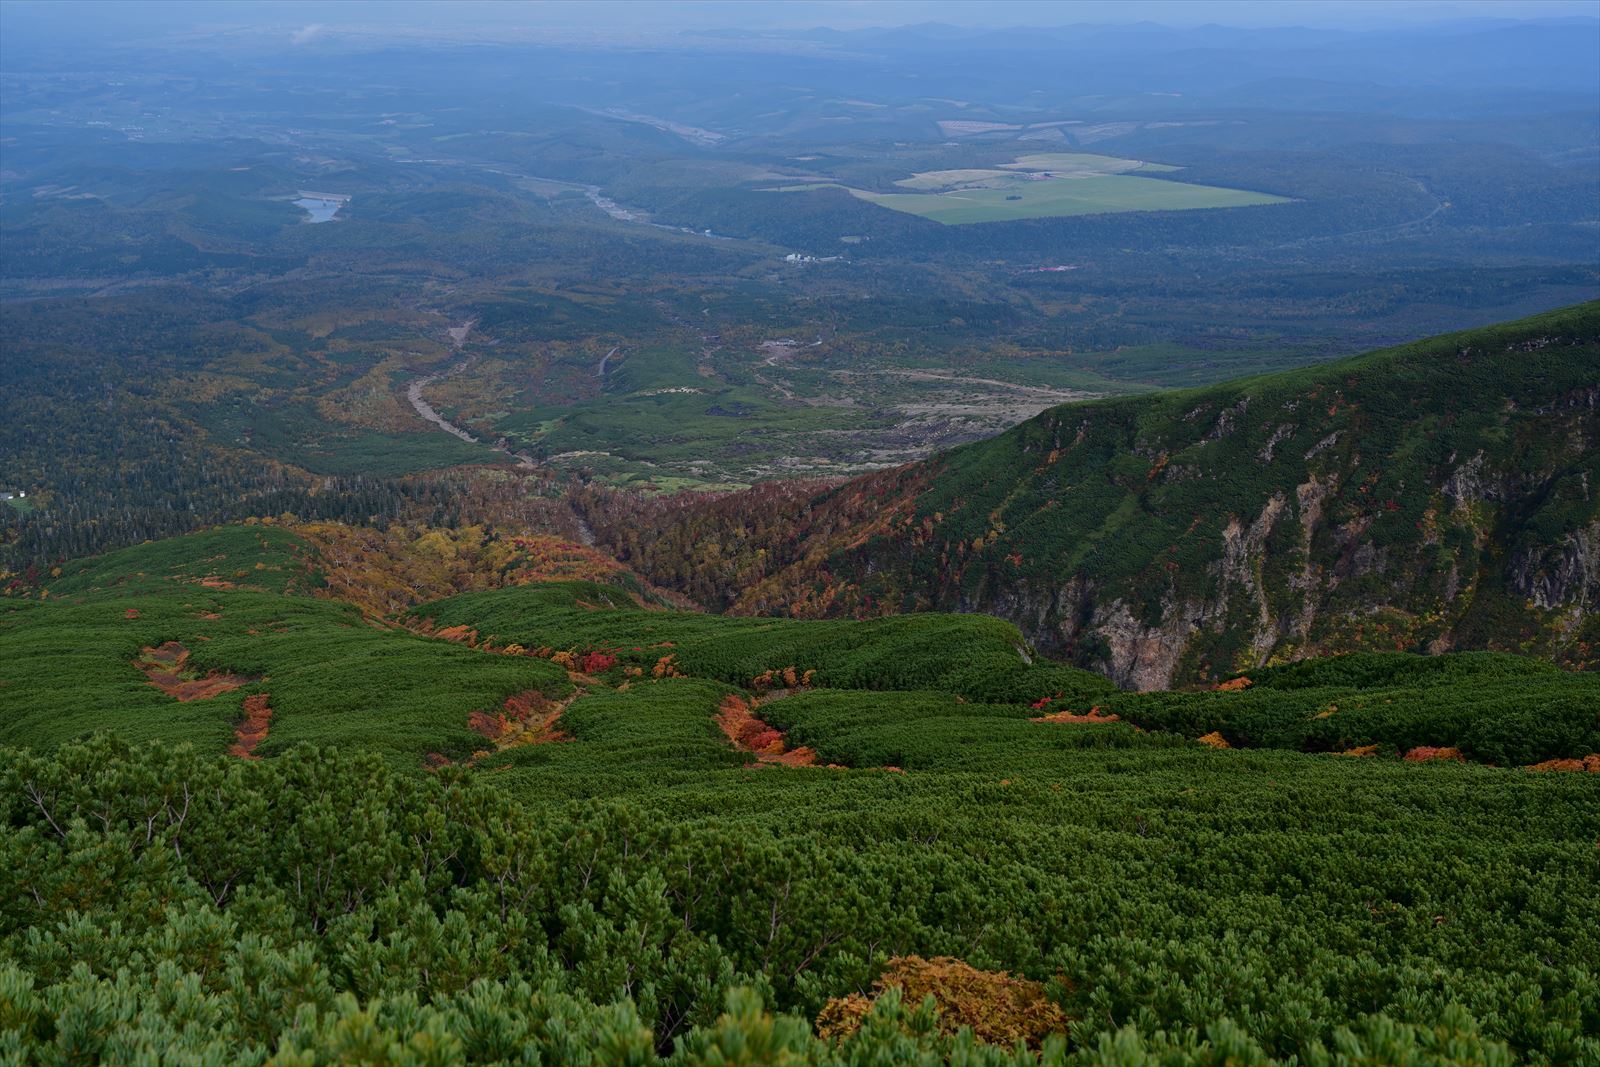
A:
1436,497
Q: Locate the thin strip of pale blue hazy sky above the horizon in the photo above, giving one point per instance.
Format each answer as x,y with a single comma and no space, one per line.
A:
145,18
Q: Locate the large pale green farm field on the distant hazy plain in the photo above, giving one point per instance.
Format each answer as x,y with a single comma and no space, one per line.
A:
1049,186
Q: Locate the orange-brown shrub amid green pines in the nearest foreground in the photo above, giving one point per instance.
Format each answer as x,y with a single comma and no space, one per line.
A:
999,1009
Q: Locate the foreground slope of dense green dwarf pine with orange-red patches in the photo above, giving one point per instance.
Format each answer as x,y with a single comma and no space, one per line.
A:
767,834
